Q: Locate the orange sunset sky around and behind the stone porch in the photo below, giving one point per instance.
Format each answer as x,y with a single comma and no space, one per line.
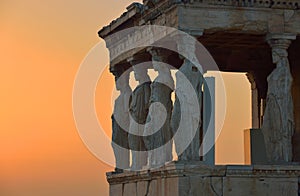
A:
42,46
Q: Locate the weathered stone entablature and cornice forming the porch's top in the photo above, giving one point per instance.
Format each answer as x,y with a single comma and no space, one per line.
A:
209,16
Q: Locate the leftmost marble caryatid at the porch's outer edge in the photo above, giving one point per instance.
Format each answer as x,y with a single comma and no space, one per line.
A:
120,122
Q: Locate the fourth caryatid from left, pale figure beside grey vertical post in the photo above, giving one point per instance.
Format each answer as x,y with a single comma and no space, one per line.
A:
186,116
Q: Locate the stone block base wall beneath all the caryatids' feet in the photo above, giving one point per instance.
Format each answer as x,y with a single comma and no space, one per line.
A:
180,179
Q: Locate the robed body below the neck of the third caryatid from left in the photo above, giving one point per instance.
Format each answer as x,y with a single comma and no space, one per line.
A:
158,125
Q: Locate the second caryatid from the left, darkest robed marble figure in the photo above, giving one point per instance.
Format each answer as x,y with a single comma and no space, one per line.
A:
139,107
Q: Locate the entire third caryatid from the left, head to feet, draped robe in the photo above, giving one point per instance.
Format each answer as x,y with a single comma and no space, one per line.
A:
158,134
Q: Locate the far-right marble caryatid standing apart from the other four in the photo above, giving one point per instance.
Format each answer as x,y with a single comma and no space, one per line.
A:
278,123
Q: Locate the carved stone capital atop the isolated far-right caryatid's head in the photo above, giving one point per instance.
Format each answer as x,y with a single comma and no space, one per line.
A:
280,41
